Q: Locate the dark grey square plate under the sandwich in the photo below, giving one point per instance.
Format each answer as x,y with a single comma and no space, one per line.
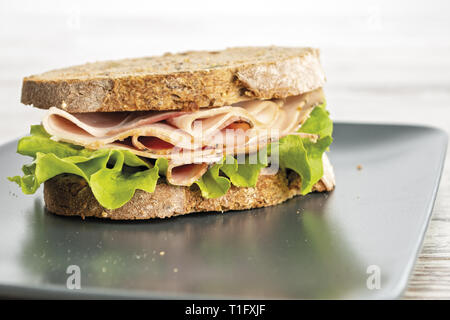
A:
321,246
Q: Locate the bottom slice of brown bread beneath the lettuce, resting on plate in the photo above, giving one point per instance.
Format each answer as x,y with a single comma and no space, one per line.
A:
70,195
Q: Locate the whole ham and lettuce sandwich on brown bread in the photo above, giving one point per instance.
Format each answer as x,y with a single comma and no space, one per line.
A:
168,135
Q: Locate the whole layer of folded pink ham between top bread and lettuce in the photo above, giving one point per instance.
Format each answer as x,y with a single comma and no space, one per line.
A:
189,140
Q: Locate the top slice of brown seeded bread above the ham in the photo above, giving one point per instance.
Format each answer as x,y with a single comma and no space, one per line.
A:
183,81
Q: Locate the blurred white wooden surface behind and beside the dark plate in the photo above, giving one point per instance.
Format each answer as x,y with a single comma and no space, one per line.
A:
385,62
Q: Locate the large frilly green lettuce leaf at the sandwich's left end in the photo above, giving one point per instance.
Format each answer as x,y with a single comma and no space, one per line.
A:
113,175
